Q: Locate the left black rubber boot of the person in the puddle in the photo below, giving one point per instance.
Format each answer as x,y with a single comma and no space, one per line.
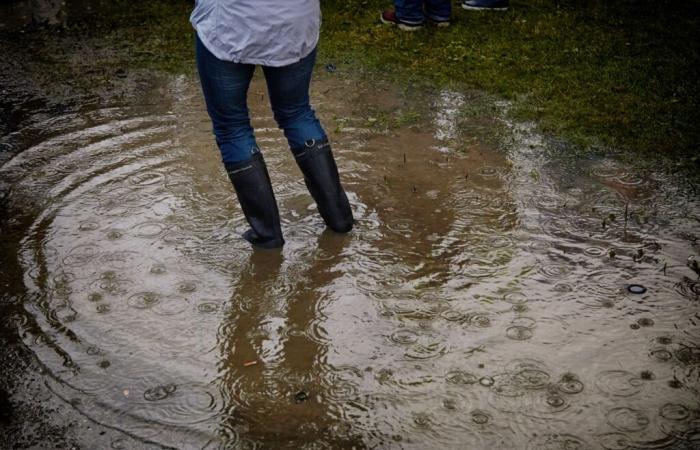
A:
254,191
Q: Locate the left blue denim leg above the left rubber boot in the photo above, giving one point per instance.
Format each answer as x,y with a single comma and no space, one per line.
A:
225,87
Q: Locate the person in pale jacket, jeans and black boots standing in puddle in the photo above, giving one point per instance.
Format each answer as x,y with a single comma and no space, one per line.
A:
232,38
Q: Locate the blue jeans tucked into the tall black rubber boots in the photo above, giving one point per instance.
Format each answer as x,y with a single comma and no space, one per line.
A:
225,87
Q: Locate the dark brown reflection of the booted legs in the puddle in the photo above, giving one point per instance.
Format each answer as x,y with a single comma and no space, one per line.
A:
274,373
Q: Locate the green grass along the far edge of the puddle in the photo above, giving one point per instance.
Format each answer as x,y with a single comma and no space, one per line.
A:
622,74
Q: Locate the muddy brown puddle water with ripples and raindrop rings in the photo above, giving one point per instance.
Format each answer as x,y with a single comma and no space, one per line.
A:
481,302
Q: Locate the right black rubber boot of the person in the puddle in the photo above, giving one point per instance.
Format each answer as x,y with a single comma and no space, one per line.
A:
317,164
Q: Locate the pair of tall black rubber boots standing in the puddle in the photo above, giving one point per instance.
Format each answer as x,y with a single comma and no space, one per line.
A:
254,191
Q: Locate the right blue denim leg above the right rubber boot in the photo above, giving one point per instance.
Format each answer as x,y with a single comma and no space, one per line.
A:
288,88
